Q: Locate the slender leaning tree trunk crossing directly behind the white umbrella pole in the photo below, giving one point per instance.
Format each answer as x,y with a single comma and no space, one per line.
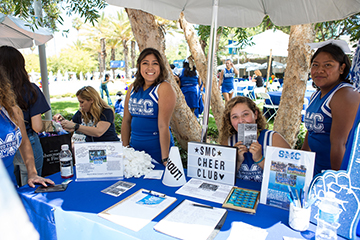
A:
217,105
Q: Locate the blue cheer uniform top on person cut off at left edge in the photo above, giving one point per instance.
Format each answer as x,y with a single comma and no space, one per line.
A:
10,140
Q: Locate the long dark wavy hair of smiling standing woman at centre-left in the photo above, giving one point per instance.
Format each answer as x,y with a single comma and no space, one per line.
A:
139,80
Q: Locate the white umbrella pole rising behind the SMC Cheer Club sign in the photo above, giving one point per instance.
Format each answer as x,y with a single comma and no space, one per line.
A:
211,57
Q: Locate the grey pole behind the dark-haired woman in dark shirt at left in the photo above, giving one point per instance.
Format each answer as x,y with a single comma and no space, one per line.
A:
42,59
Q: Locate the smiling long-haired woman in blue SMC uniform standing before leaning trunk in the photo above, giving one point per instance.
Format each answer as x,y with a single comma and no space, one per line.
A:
149,104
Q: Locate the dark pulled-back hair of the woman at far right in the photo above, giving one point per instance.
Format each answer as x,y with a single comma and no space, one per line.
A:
338,56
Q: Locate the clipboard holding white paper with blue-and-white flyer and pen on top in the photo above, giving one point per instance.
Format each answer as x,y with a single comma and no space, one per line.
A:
137,210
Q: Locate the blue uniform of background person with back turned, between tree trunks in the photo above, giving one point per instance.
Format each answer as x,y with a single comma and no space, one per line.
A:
190,89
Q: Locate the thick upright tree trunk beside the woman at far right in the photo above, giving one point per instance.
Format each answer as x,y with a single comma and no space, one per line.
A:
288,119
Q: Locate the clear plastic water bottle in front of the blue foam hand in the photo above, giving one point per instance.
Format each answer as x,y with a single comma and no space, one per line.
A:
327,222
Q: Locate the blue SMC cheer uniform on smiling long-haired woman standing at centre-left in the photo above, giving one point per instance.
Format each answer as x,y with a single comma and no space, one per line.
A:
144,110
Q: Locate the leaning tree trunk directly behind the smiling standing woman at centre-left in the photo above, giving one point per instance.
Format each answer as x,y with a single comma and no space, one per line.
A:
147,34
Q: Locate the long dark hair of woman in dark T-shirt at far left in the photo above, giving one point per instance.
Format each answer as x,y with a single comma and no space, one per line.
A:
13,63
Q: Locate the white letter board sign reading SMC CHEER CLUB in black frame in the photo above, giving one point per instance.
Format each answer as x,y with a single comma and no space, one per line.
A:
212,162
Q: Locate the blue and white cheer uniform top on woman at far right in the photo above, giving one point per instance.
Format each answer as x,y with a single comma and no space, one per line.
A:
318,121
